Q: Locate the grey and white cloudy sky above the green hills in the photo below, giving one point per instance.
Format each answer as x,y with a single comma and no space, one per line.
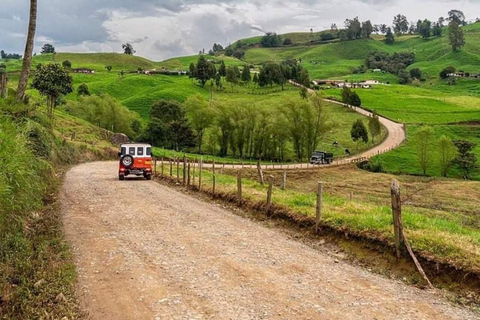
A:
159,29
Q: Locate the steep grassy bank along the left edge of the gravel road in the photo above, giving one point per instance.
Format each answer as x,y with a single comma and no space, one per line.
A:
36,265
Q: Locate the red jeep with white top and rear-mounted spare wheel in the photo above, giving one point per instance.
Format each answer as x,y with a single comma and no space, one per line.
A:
135,159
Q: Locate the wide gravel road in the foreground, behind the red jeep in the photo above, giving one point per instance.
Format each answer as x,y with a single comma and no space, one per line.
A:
145,251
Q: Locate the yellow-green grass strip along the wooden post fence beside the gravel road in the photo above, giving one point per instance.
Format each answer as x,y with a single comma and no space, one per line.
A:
440,235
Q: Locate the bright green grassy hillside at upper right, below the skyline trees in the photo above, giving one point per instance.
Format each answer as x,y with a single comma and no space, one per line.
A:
337,58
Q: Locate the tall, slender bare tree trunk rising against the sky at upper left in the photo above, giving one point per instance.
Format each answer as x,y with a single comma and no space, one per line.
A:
27,57
